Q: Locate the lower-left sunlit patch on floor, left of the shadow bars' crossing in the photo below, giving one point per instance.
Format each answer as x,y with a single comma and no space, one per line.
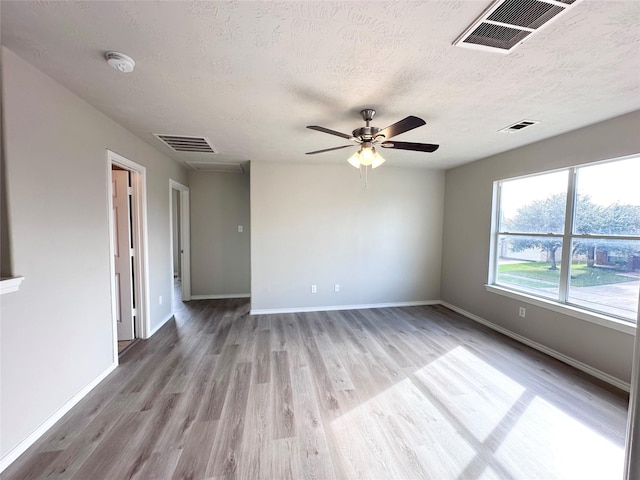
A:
399,434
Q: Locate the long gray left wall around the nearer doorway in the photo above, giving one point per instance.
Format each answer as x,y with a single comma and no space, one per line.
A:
56,331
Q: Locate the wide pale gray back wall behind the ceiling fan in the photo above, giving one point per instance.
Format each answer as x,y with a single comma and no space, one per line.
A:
318,224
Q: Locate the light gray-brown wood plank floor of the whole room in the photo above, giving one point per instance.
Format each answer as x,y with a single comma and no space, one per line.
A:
397,393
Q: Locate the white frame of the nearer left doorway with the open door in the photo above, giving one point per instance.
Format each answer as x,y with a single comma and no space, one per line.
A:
140,245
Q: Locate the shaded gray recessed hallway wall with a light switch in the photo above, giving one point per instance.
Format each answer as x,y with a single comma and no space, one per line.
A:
220,255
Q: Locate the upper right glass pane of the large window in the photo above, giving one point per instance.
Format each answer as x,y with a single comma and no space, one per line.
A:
608,199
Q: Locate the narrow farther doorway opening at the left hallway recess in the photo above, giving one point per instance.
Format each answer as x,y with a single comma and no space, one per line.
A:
180,242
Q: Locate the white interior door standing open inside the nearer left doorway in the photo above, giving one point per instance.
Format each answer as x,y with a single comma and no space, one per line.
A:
122,255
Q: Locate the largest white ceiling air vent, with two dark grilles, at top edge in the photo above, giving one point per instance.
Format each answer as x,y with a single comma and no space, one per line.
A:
508,23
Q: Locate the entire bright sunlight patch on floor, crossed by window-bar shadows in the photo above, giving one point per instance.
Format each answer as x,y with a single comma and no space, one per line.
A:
458,417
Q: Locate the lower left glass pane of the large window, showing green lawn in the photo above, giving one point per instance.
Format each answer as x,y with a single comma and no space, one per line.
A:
530,264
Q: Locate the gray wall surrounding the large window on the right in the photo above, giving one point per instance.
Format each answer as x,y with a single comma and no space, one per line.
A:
467,233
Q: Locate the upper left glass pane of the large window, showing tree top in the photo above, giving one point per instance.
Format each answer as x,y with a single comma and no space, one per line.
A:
534,204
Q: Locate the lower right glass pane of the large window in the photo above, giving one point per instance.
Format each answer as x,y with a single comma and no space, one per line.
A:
605,276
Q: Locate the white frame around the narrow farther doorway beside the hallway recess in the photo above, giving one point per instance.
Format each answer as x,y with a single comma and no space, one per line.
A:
185,238
